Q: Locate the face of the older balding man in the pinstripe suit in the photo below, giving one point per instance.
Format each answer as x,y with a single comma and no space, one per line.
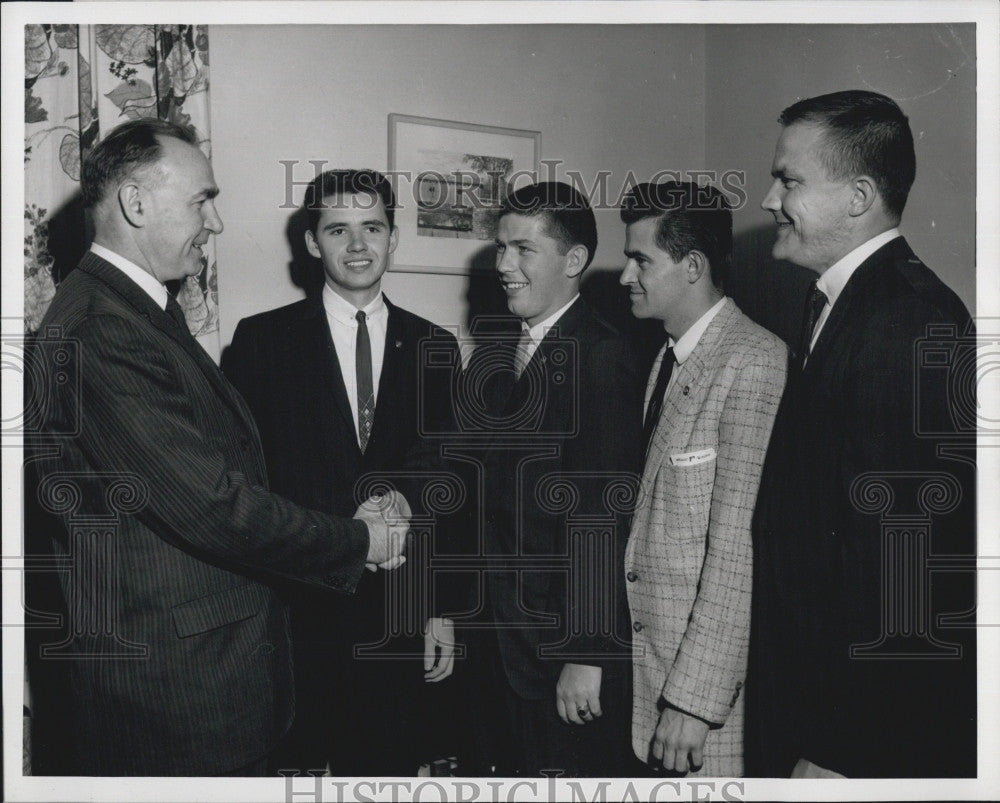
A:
179,212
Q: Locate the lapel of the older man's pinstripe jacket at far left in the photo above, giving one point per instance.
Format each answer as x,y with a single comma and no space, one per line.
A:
140,301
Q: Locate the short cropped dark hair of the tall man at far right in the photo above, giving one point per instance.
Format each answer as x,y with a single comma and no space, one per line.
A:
866,134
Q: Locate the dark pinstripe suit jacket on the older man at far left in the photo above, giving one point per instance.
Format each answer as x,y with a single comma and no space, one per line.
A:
159,478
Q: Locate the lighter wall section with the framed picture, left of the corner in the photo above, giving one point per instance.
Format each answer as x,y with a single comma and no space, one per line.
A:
613,98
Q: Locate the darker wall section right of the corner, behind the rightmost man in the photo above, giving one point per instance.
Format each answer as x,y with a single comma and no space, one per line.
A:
752,72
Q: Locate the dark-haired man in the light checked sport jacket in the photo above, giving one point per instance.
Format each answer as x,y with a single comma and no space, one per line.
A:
710,404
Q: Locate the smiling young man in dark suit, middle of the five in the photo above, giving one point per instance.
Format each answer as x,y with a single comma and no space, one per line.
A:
561,412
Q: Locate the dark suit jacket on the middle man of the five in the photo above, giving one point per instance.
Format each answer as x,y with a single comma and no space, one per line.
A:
562,456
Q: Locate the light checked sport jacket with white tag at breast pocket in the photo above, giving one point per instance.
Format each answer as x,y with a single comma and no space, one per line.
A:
689,552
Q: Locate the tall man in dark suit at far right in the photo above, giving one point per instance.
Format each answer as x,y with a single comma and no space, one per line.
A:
855,669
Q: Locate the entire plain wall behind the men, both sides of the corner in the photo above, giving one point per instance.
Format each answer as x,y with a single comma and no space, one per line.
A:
606,98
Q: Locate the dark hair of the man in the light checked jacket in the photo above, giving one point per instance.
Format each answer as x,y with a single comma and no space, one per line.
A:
691,217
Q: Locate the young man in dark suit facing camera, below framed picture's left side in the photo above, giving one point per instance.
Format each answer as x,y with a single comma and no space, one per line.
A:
338,388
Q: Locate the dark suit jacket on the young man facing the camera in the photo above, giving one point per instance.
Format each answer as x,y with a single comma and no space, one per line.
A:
285,365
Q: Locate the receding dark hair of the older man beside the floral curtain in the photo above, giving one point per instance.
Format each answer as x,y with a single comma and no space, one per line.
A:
127,147
